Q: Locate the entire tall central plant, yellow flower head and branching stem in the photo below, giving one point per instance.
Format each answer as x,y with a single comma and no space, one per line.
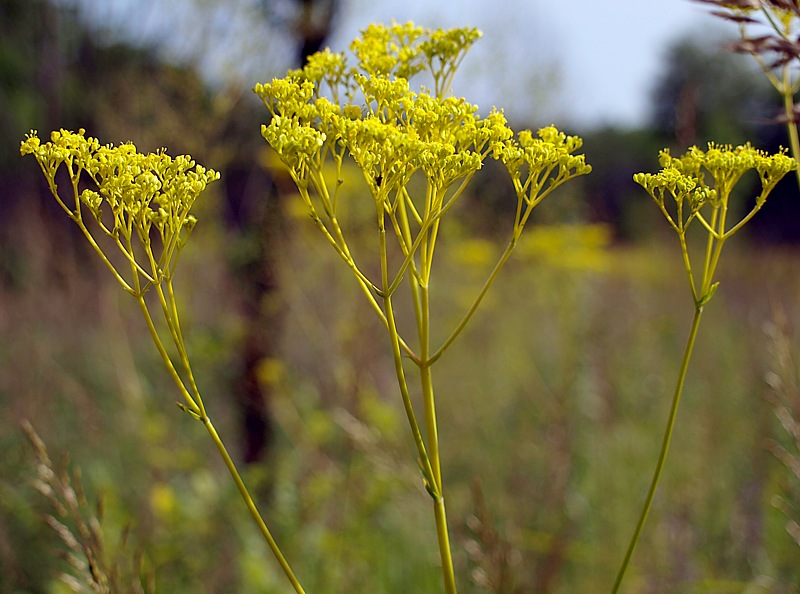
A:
368,113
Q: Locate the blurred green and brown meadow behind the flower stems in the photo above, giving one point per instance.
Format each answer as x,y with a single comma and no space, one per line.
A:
552,406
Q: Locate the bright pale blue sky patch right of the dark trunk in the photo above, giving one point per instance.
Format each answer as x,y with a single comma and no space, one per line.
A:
589,62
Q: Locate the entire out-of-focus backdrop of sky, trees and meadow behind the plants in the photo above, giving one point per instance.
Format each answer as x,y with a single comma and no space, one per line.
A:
553,402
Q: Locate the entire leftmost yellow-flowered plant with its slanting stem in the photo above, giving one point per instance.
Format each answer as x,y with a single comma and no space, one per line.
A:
143,196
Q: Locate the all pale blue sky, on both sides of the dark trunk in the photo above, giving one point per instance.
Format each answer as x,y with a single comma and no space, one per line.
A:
582,63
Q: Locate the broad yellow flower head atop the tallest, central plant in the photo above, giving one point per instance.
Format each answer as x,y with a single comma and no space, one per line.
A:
391,131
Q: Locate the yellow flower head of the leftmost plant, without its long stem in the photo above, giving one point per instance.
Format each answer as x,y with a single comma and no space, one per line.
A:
142,192
